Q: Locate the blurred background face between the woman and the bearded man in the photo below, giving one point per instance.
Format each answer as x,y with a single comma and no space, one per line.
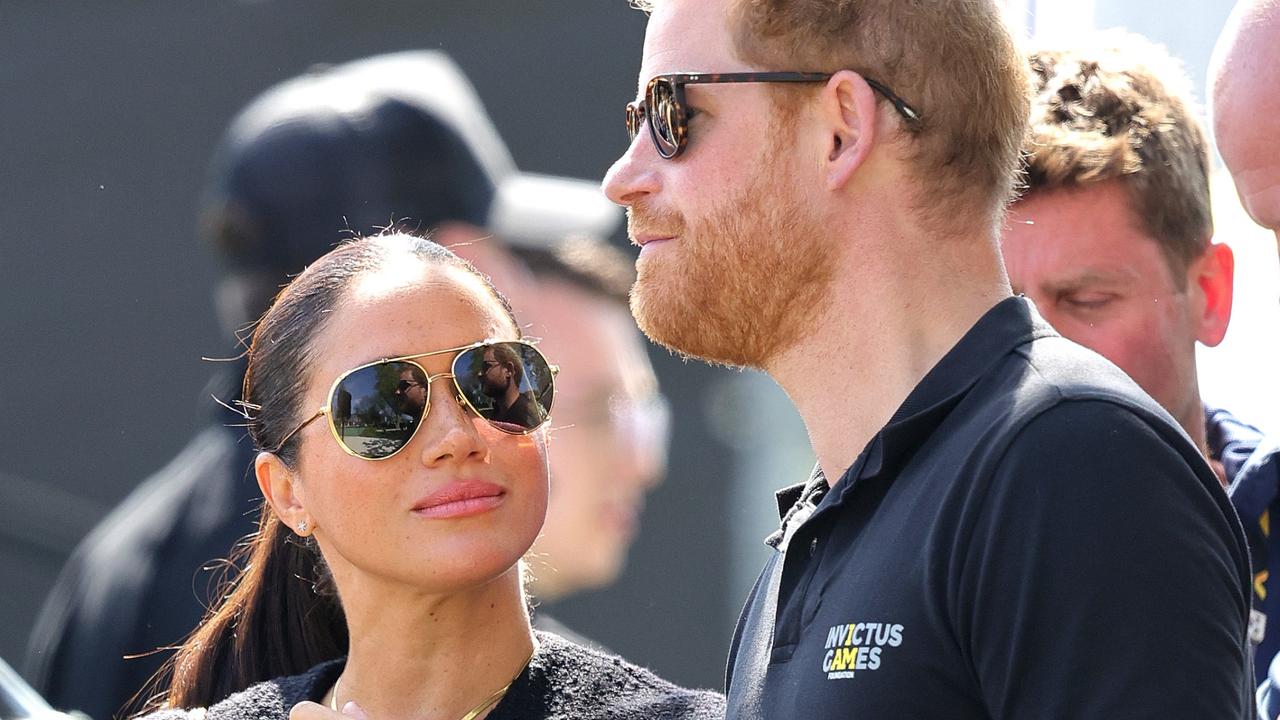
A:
609,439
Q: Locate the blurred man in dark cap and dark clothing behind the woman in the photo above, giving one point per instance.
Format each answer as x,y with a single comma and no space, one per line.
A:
397,140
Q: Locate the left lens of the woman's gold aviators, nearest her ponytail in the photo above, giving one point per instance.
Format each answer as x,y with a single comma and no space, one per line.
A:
377,409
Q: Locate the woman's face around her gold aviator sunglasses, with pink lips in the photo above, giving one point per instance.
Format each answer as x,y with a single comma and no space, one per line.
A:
394,520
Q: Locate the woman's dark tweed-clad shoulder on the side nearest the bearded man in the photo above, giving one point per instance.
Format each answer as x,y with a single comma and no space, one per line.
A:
572,681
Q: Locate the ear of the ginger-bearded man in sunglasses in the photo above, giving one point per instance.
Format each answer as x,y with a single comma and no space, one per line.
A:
848,113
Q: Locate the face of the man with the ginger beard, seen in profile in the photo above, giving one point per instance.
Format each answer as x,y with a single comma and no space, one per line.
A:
733,261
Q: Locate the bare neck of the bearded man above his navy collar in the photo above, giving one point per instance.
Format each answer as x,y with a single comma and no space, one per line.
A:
883,330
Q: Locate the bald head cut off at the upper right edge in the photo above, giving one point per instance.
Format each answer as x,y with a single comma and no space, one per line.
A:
1246,107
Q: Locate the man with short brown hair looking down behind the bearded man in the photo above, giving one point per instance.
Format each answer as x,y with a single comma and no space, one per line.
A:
1113,240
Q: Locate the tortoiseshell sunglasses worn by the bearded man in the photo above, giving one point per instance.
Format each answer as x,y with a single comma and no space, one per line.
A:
665,111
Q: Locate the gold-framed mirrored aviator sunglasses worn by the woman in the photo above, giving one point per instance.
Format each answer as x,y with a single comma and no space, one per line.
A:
374,411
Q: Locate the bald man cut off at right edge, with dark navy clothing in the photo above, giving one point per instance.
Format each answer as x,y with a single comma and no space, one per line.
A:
1246,106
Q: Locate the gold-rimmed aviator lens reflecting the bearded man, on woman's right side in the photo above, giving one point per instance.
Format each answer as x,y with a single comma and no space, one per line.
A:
508,384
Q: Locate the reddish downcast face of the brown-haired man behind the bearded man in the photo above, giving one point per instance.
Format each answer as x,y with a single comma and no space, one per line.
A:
1103,282
